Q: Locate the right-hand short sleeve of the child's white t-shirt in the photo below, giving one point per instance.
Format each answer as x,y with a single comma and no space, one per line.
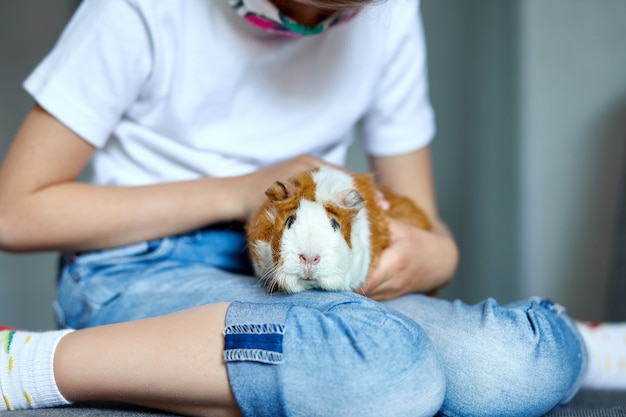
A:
401,119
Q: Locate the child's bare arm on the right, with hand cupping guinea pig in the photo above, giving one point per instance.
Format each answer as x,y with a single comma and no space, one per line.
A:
417,260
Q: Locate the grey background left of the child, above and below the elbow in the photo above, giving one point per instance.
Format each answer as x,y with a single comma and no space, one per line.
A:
28,29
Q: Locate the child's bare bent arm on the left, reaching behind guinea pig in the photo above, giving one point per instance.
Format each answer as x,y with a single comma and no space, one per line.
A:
42,207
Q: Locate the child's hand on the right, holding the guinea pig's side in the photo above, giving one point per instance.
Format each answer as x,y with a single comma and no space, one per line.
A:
416,260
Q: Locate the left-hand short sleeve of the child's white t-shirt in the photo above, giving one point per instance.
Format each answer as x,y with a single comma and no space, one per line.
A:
96,69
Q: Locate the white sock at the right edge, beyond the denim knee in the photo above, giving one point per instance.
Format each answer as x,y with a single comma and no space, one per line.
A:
606,344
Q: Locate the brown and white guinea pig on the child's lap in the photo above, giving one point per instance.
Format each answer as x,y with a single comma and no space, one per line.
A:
324,229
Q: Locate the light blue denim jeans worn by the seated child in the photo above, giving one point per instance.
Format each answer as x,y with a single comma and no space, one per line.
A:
321,353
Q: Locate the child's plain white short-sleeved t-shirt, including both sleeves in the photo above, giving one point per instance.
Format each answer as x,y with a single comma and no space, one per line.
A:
171,90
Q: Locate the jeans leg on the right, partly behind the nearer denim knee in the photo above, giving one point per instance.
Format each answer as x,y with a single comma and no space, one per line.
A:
520,359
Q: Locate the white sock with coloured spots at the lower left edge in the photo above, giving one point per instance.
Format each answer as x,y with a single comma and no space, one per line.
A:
26,370
